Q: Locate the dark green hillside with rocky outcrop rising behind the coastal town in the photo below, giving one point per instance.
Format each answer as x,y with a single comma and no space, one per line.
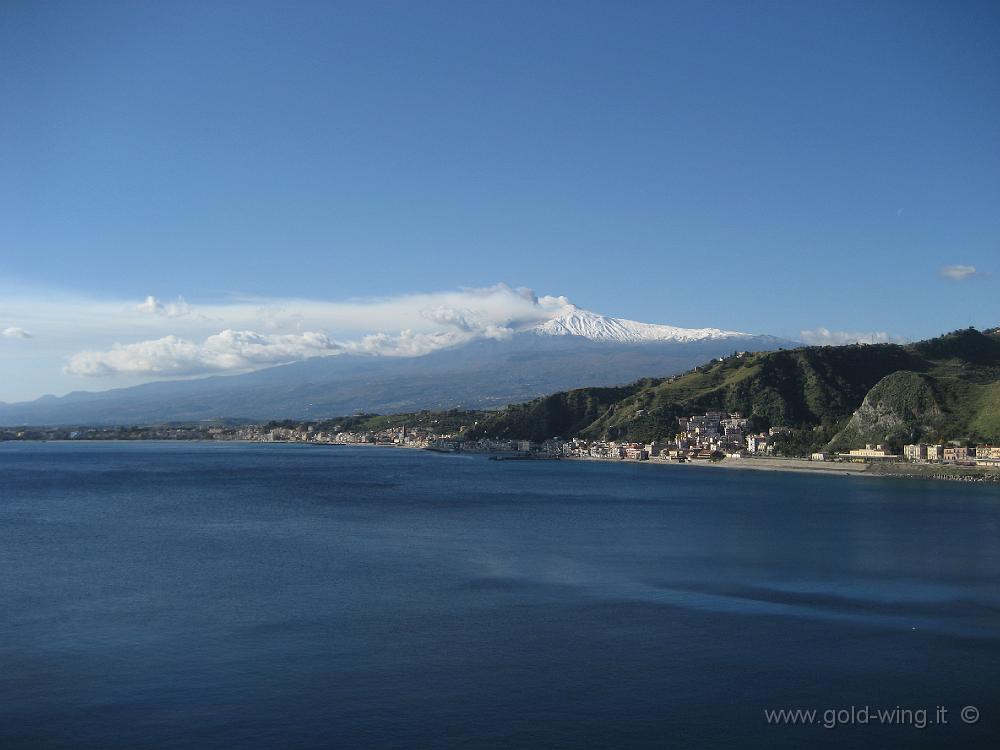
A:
947,388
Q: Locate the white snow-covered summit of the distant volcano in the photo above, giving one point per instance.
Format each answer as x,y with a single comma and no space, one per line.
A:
574,321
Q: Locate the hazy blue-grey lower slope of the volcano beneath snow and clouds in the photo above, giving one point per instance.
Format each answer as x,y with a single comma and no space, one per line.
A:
485,374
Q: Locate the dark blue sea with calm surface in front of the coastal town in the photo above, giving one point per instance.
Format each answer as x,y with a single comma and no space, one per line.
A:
174,595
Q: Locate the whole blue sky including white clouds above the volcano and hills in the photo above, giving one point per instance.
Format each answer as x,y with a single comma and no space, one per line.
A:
365,175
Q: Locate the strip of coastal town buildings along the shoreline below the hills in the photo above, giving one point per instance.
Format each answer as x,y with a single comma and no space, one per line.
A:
713,438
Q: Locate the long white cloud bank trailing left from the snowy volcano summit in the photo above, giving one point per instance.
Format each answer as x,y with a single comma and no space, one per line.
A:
300,329
